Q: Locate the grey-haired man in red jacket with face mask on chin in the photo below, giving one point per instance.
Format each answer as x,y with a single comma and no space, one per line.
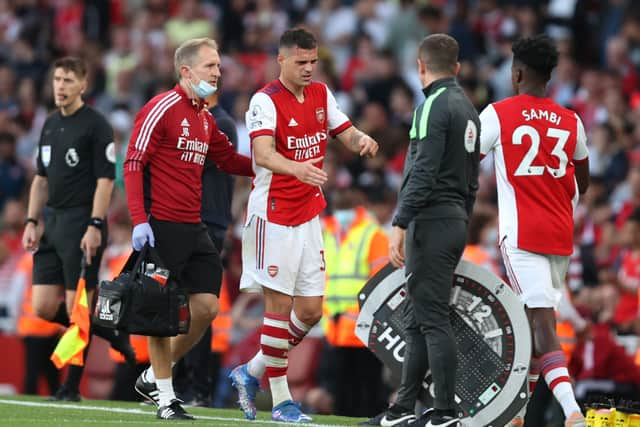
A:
172,136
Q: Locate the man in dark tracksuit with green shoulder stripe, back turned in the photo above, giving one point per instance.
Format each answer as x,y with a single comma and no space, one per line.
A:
437,195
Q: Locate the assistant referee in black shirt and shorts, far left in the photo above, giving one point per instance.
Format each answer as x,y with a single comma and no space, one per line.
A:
74,178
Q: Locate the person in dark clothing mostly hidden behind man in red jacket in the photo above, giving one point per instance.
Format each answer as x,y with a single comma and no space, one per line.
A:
201,366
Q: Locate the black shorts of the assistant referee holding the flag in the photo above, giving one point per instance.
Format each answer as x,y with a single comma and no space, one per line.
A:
57,260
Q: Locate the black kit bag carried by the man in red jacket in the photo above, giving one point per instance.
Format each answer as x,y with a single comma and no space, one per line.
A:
138,302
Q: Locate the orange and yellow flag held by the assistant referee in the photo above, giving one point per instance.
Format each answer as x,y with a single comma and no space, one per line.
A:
70,348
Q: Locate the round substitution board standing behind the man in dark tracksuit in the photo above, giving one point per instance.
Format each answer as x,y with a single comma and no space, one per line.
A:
492,337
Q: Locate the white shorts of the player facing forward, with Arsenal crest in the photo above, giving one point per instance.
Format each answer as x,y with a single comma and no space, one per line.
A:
283,258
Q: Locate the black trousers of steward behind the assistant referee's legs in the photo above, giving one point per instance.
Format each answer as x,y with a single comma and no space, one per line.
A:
37,351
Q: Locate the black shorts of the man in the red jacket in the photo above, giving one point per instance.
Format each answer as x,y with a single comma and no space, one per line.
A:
189,254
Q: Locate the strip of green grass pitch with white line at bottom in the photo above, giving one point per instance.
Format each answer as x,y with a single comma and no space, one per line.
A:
19,411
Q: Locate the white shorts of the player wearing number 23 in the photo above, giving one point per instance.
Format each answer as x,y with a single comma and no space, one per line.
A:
538,279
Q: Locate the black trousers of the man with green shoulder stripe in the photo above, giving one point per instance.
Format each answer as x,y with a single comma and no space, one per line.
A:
432,251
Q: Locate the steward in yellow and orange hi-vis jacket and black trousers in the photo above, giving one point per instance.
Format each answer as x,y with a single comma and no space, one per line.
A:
356,248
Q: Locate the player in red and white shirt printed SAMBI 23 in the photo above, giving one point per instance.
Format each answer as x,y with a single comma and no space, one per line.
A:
541,164
